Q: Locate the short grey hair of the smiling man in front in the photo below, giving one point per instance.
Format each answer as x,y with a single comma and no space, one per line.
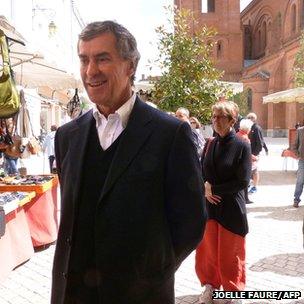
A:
125,41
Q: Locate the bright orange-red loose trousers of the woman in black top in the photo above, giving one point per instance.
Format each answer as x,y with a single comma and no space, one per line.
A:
220,258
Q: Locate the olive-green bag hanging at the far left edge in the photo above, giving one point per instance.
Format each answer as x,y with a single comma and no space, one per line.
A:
9,97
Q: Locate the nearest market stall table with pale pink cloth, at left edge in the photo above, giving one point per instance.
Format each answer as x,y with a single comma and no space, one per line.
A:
15,245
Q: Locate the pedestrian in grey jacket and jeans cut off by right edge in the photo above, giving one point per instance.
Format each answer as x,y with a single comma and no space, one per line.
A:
298,148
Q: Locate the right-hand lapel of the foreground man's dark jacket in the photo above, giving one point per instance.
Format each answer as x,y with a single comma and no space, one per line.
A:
138,129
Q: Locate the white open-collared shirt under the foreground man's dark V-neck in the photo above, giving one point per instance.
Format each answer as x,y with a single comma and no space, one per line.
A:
108,129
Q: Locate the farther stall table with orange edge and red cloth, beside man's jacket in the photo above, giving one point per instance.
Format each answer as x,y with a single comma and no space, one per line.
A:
41,212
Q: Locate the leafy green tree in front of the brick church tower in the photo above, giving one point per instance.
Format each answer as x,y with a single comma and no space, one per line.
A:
189,78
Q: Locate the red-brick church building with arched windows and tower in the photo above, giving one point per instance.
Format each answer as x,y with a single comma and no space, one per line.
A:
257,47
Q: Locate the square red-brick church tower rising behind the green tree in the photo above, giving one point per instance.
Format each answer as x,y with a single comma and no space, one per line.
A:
224,16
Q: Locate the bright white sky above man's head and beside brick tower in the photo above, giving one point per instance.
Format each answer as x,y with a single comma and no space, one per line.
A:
140,17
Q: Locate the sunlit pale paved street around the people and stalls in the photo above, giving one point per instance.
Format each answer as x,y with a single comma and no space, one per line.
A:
275,256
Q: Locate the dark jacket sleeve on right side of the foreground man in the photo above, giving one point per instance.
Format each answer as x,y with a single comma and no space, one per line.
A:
185,202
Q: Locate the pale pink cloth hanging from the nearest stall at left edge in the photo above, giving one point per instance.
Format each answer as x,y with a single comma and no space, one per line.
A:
16,245
